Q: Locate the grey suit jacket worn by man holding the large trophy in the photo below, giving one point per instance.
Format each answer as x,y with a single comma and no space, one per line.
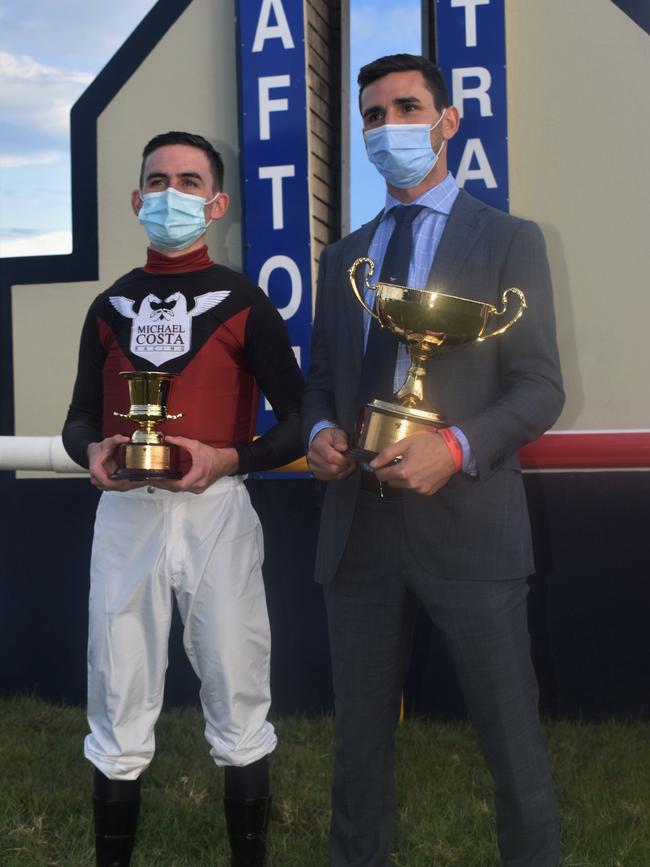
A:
502,393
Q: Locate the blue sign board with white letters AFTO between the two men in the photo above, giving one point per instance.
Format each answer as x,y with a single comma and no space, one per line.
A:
274,164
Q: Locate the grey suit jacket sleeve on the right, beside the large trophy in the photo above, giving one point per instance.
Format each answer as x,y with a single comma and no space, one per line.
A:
531,395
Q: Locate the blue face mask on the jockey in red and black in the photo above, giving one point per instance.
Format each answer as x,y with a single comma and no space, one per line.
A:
173,220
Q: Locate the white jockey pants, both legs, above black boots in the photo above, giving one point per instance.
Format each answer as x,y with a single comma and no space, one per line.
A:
207,551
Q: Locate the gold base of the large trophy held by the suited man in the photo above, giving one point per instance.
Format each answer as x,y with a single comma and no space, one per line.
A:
386,423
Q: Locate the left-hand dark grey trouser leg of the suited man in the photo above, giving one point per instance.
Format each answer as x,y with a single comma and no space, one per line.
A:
370,625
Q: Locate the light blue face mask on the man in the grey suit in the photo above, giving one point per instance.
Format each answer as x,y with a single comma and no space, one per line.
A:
402,152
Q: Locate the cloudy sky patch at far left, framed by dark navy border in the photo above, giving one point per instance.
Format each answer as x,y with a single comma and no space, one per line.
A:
49,54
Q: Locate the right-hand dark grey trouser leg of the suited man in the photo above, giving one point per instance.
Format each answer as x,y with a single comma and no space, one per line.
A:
486,629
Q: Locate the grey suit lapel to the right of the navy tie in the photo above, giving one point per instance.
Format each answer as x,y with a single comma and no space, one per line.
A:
463,229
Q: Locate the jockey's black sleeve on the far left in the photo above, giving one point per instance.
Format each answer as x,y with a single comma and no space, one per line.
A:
83,424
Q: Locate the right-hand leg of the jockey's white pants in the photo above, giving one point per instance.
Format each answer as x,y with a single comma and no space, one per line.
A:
222,602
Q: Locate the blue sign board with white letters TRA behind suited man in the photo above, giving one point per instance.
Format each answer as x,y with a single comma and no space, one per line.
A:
471,53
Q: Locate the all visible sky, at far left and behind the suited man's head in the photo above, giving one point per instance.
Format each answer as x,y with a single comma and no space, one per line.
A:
49,54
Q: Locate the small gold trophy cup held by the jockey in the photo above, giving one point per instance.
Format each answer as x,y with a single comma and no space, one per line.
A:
147,456
